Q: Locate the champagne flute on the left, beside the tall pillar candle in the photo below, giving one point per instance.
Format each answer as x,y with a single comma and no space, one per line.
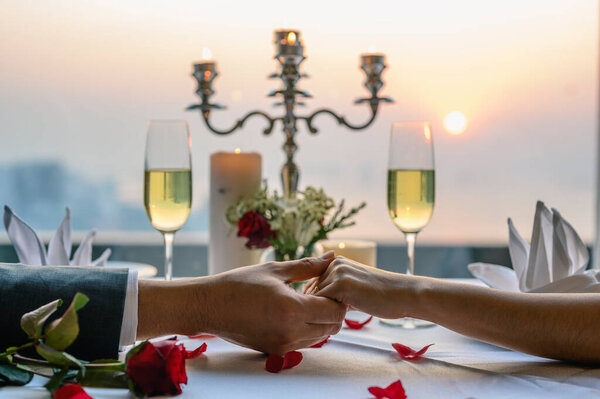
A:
168,181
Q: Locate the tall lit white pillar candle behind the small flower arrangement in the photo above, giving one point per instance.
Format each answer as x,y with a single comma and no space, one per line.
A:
232,175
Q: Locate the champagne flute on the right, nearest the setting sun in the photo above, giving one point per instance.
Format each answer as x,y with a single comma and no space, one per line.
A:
411,189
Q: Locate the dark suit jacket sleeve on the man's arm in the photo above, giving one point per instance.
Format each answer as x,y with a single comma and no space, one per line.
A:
25,288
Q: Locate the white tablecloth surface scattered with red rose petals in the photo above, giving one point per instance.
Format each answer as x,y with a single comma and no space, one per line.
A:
455,367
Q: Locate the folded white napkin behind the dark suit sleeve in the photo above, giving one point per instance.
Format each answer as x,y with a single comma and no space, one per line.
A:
31,251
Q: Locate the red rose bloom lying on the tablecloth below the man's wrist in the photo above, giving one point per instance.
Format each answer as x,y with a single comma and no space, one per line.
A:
159,368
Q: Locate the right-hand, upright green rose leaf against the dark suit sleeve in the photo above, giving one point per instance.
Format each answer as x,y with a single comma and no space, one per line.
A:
62,332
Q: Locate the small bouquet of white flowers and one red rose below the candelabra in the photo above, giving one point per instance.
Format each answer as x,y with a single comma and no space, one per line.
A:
292,226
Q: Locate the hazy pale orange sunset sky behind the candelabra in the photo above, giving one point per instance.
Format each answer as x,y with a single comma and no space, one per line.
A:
80,79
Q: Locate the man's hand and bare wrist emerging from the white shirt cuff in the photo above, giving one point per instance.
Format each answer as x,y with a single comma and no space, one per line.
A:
251,306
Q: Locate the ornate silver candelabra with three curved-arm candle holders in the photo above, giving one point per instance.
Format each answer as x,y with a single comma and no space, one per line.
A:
290,54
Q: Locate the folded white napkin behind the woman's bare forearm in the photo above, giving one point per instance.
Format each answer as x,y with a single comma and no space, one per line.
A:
554,262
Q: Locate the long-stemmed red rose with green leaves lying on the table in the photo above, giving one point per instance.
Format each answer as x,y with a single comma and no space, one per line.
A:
149,368
